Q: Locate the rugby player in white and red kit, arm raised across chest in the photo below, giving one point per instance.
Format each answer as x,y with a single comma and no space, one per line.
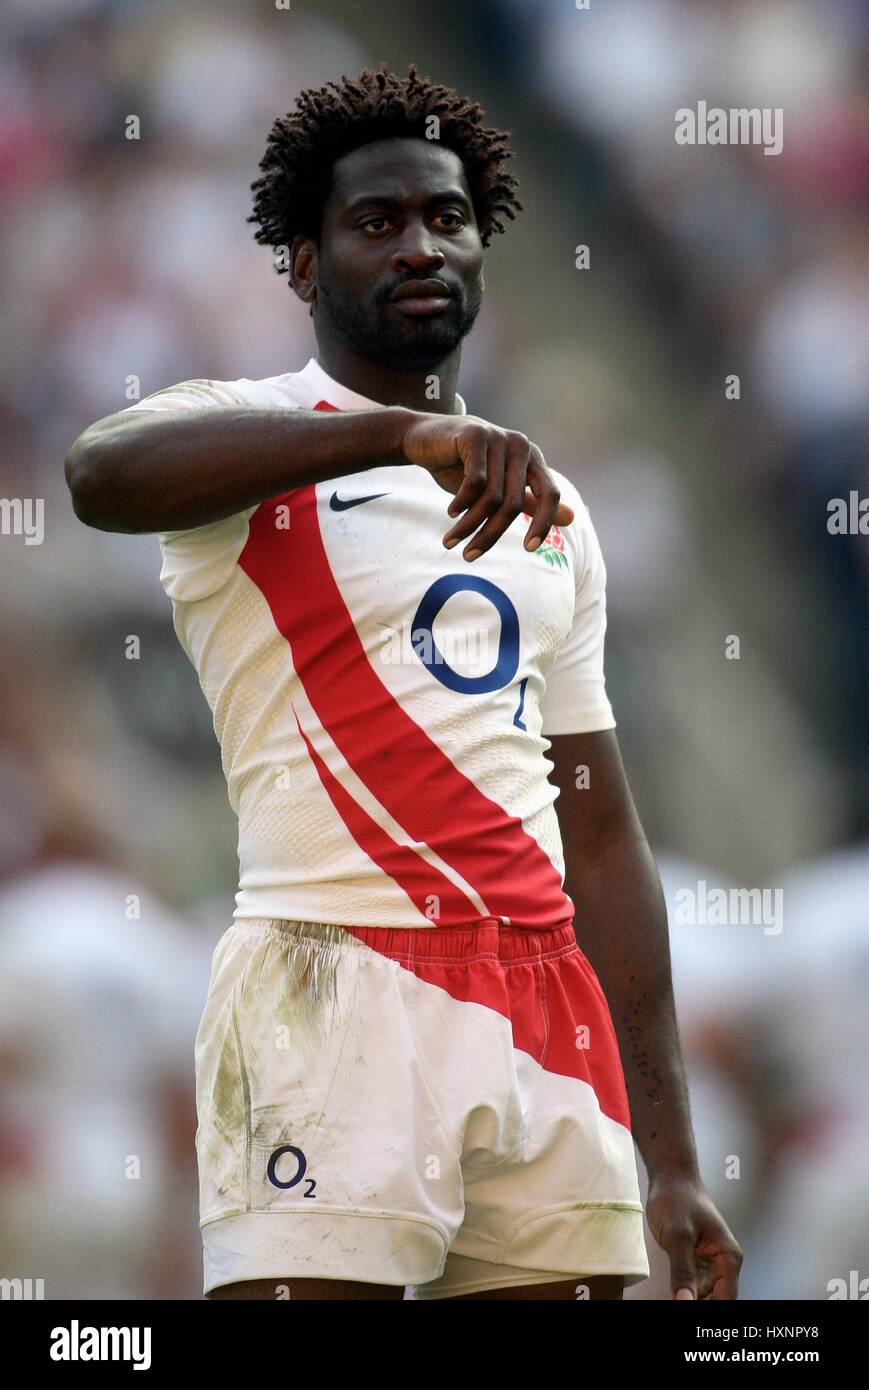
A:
441,1014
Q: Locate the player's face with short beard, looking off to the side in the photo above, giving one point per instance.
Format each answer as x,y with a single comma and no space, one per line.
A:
400,215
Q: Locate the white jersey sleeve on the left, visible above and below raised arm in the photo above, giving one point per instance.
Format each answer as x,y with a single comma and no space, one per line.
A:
197,564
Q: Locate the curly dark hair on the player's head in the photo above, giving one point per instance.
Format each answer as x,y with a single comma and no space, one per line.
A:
333,120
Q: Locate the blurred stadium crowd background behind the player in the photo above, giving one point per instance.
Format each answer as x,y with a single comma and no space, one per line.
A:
133,259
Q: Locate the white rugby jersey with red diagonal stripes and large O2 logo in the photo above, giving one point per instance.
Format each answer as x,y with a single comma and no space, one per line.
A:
380,703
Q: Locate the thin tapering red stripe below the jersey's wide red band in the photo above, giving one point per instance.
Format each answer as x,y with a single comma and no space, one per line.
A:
421,881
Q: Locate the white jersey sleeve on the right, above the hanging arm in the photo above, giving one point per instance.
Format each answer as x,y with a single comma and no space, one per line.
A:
576,701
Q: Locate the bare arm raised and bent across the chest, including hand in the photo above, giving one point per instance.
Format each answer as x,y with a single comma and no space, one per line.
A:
173,471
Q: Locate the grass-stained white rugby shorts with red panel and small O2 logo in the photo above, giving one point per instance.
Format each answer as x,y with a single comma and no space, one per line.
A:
440,1109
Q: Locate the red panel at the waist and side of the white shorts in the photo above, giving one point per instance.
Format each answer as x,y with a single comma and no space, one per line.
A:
574,999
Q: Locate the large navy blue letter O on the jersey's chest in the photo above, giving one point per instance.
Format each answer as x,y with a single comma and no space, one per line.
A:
433,660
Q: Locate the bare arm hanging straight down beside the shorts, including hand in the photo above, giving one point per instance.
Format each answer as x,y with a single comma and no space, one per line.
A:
622,929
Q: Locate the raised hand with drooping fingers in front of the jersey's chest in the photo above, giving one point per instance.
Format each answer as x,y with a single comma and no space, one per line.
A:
496,475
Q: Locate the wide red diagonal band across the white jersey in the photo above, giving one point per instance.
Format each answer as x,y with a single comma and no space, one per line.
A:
403,767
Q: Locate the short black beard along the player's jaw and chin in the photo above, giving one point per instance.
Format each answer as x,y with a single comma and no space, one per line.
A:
425,344
